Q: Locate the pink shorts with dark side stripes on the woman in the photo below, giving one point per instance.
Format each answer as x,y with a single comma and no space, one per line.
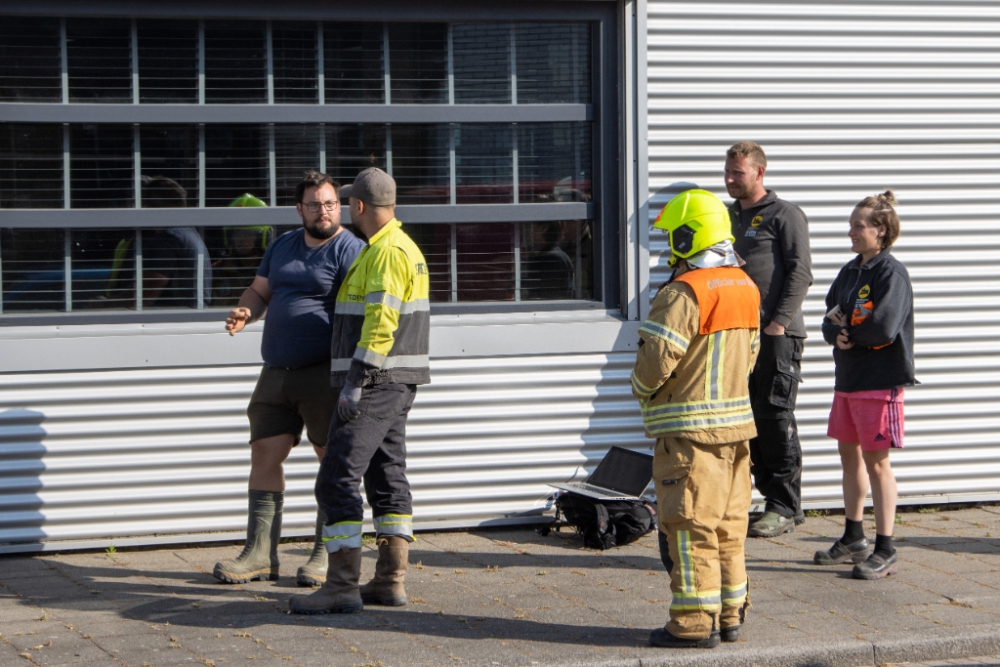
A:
872,418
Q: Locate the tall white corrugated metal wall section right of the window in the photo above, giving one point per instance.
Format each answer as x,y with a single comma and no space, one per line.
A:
849,100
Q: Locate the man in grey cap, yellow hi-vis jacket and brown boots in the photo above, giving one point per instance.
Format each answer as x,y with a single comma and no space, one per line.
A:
381,330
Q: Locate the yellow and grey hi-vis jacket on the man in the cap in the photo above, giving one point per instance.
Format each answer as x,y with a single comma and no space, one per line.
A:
381,325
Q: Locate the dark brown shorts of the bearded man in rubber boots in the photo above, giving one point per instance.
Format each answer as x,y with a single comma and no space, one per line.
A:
287,398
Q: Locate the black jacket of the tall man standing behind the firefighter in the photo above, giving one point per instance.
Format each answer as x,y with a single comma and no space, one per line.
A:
772,237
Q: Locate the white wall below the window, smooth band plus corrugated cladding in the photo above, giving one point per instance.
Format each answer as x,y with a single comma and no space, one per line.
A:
157,451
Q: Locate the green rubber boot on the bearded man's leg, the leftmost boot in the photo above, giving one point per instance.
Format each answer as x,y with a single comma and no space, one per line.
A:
259,559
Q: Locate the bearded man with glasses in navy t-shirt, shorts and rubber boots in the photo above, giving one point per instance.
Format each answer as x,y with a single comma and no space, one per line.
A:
297,285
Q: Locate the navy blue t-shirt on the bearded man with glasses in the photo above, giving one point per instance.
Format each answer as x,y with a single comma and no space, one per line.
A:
304,282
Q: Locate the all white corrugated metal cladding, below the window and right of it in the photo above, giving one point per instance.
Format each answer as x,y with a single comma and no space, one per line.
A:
847,99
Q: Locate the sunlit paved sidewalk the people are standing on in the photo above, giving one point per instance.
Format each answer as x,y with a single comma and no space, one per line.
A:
511,597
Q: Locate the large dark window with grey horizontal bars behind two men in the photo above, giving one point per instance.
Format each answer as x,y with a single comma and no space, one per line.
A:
493,131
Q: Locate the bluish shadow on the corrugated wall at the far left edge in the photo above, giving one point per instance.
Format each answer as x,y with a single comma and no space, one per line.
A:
21,465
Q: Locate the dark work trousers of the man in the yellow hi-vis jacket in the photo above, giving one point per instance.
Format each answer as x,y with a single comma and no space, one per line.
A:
371,447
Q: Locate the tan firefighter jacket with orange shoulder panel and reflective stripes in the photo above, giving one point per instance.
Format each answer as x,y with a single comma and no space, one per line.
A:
697,349
